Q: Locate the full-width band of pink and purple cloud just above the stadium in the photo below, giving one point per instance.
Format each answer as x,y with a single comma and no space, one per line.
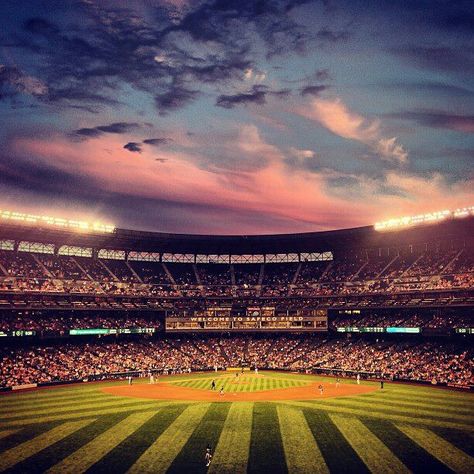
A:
214,196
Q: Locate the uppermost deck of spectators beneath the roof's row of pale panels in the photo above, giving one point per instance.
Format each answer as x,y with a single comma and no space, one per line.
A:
428,270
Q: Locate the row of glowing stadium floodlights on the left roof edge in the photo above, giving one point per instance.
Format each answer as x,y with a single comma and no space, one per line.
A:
70,224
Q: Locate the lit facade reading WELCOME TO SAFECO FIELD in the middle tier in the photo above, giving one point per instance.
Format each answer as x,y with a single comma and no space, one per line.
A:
250,319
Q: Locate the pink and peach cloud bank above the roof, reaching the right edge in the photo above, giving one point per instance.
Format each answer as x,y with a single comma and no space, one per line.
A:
288,200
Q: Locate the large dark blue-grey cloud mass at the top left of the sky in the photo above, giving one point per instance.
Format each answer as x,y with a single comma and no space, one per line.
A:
112,46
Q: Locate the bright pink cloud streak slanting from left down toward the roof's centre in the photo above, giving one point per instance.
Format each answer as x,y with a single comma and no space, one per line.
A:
271,190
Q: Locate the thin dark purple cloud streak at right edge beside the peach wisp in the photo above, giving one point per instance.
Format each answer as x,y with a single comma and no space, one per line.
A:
437,119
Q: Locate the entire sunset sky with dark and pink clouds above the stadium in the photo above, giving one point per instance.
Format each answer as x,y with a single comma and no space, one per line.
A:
236,116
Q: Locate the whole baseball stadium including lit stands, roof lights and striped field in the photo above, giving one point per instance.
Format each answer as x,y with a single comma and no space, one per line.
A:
337,351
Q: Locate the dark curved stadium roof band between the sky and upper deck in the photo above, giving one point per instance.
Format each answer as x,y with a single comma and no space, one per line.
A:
356,238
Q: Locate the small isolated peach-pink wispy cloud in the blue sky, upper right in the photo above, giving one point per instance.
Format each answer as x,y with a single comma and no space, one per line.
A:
334,115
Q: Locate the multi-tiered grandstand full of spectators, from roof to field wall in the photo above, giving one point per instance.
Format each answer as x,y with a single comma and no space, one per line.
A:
331,299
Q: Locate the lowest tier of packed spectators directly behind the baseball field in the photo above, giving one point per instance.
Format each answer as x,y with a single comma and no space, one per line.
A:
435,362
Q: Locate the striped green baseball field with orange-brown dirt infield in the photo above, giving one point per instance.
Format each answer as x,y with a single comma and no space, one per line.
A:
268,422
